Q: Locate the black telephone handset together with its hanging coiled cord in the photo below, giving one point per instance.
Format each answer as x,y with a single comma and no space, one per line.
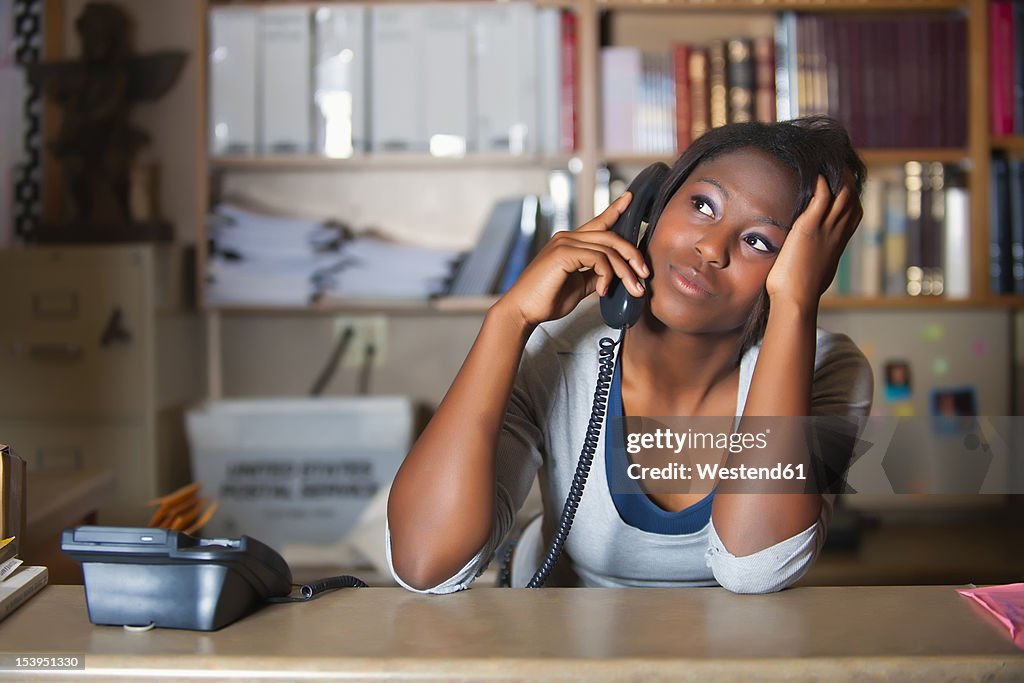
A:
620,310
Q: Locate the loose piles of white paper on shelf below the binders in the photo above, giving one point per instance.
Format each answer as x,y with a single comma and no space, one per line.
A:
266,261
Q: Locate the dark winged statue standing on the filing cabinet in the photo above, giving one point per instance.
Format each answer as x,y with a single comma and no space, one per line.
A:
97,144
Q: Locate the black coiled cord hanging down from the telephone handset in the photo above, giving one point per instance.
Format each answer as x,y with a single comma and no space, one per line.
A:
607,369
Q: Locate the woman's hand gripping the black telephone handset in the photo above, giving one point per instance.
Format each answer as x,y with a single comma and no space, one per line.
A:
573,266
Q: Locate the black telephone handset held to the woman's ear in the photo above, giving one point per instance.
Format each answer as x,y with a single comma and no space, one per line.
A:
620,310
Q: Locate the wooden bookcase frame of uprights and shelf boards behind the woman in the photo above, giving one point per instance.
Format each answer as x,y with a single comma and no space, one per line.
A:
589,155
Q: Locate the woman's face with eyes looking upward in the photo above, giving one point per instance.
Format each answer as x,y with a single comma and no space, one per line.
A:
717,240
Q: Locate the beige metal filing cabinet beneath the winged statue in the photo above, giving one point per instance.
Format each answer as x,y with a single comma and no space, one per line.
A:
101,354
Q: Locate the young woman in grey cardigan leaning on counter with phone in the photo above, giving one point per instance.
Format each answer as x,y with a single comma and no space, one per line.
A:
748,231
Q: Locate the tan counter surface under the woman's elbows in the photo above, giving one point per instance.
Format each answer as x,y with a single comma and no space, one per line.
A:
926,633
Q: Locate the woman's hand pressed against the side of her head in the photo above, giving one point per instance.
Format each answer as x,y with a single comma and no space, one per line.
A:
808,260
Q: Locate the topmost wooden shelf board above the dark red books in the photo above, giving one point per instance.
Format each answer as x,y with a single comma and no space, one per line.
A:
783,6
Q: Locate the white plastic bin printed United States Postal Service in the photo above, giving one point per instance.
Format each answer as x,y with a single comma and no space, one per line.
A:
296,471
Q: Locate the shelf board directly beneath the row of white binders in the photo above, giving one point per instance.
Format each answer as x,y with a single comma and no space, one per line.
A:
385,161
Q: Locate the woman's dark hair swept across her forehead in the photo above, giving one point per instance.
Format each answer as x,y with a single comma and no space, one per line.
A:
810,147
